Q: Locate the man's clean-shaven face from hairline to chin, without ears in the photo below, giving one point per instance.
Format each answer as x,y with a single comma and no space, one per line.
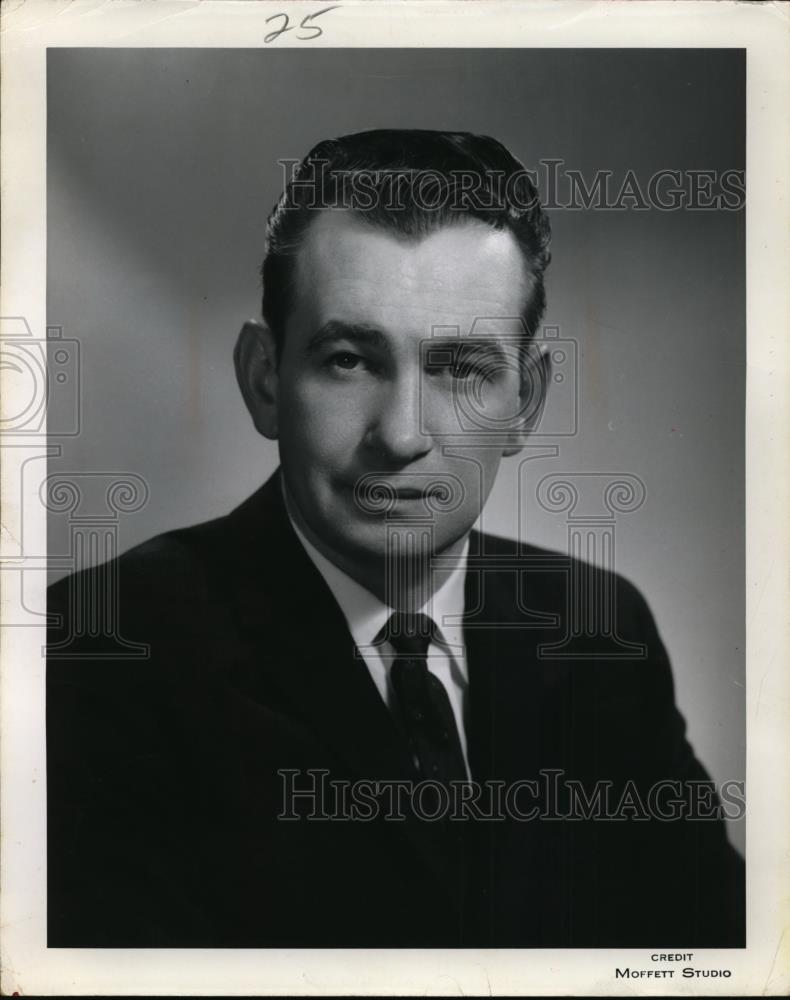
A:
371,390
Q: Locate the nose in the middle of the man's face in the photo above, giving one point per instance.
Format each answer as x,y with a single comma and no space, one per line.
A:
396,429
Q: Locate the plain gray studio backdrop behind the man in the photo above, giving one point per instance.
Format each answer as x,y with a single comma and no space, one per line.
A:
162,167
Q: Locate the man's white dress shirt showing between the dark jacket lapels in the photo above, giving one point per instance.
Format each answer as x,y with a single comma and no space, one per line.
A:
366,615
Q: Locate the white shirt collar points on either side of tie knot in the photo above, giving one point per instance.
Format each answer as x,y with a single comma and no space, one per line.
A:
366,615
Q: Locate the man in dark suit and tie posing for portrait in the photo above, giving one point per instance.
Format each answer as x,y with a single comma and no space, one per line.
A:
334,663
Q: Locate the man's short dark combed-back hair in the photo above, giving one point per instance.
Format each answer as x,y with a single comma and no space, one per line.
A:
411,181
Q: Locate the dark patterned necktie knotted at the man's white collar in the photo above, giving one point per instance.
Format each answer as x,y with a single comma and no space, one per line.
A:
423,702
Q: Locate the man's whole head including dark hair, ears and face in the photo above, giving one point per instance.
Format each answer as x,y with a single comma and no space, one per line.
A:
403,280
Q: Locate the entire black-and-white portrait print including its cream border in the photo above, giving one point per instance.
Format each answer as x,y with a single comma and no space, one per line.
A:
390,576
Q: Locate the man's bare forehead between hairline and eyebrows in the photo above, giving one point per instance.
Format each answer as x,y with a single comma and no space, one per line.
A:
466,268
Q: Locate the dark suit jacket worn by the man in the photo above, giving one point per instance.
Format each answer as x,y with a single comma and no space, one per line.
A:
164,791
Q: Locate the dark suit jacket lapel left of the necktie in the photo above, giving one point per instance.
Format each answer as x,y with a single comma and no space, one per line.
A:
301,647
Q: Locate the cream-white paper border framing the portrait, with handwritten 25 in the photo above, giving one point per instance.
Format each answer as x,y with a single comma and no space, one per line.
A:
28,28
